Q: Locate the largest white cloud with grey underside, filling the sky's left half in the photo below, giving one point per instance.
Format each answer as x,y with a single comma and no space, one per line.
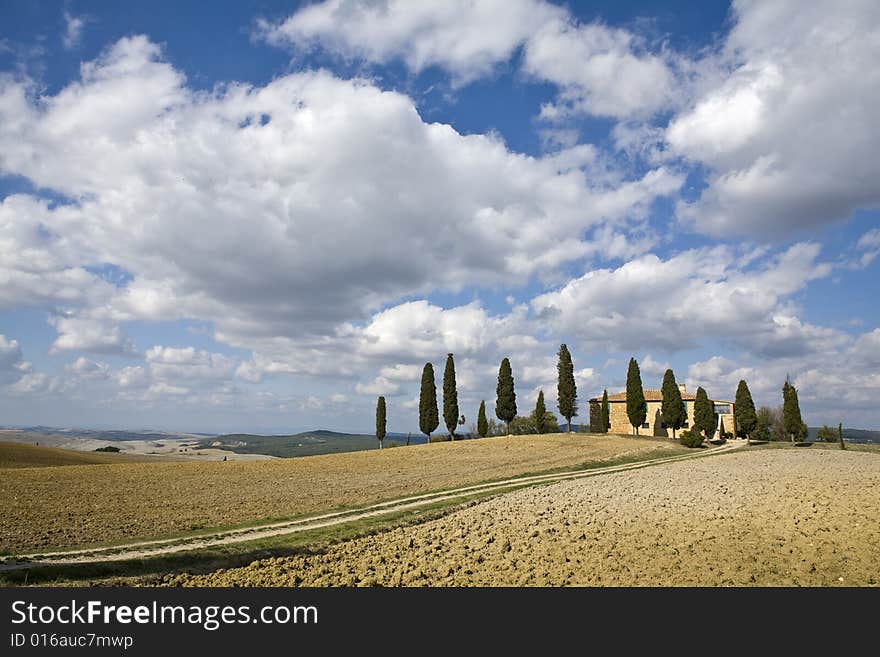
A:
166,179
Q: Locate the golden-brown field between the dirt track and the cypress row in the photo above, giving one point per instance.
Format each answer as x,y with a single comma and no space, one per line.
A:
48,508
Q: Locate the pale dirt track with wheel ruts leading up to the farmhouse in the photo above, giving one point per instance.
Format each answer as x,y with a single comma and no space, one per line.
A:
148,549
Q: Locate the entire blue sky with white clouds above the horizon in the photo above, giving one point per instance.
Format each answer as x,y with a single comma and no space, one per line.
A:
262,215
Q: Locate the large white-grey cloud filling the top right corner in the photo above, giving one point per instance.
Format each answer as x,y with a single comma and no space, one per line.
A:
786,119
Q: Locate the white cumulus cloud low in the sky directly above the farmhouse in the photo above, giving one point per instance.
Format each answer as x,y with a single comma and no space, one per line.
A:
672,304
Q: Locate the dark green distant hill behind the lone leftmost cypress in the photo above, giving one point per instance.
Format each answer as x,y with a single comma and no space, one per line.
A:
307,443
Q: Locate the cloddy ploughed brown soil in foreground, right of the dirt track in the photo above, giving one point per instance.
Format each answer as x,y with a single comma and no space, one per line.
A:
763,517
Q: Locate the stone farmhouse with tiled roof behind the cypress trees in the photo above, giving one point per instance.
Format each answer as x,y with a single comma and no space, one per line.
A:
653,425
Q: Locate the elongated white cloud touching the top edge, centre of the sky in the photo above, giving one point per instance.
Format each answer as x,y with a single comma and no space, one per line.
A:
599,70
